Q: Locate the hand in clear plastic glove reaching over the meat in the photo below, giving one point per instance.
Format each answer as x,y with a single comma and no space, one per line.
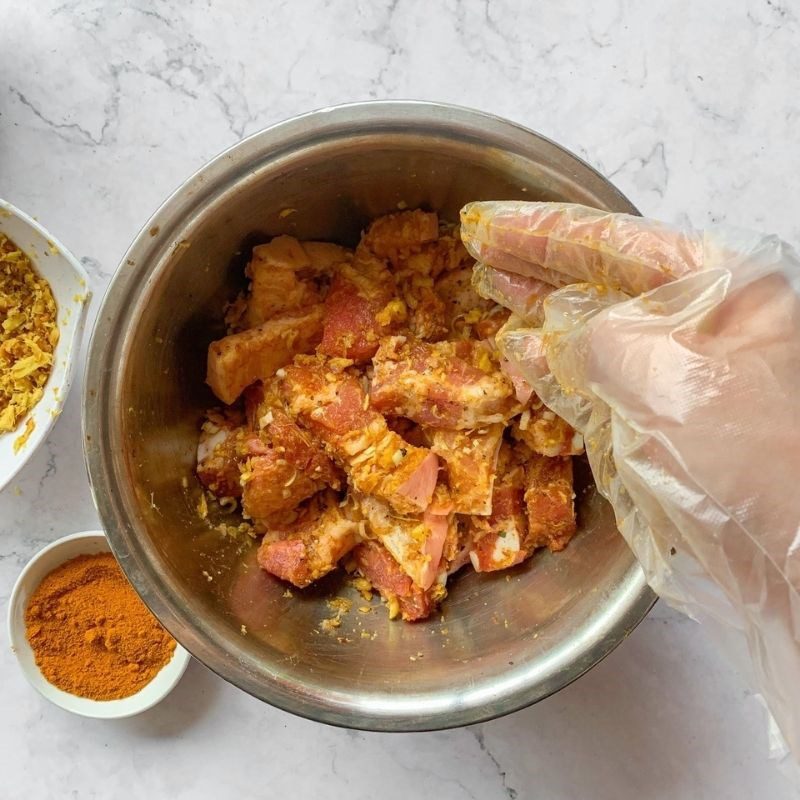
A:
677,354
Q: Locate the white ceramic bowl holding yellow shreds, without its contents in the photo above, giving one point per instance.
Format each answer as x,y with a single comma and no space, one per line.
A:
70,286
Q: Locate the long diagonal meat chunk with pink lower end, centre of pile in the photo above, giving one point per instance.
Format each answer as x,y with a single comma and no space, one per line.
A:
334,407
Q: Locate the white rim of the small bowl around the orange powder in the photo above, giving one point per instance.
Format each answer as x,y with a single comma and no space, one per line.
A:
83,706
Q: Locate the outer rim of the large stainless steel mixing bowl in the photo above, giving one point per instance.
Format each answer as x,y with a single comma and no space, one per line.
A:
638,597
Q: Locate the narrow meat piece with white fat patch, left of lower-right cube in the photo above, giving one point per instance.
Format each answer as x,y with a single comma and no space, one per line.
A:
501,540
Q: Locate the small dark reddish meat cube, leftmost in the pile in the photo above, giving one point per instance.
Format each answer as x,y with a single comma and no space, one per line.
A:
222,447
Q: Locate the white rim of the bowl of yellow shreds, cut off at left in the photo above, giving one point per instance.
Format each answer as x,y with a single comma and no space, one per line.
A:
67,371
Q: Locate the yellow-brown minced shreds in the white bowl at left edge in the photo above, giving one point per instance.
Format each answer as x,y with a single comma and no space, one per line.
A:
28,336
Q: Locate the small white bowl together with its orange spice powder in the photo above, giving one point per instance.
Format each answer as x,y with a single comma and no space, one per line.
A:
83,637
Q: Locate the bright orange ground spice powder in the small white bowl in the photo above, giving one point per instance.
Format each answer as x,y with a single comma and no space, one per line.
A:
90,633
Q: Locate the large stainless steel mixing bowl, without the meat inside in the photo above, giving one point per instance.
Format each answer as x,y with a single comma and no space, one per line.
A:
501,642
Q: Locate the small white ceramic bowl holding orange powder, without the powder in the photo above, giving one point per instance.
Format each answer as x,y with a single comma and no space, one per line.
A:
37,568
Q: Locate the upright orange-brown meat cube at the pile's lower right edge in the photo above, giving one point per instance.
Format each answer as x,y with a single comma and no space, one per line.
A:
549,497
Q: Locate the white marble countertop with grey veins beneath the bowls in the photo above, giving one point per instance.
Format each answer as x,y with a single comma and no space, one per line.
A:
106,106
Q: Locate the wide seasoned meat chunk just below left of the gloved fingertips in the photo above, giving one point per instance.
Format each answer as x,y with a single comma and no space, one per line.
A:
454,385
